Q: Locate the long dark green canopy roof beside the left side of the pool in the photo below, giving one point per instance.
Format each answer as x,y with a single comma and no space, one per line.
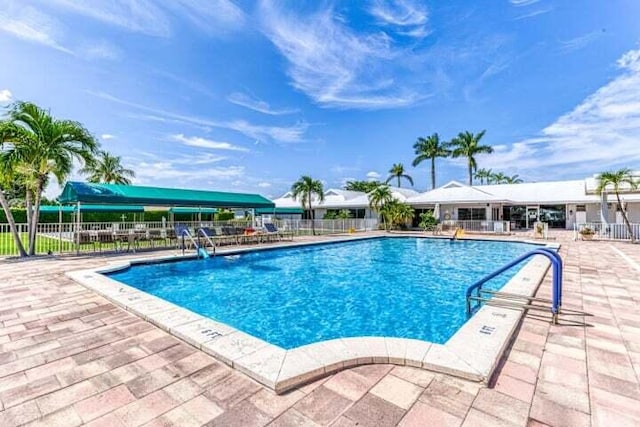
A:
114,194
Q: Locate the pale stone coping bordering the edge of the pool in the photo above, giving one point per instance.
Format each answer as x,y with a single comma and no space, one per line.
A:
472,352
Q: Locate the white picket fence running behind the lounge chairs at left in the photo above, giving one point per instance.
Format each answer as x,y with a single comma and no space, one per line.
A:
86,237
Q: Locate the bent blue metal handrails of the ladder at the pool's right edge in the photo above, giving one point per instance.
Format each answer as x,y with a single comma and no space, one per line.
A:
556,262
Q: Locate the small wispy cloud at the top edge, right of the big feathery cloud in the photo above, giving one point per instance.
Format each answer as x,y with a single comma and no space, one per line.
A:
408,16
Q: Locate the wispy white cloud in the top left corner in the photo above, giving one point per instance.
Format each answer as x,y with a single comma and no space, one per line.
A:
27,23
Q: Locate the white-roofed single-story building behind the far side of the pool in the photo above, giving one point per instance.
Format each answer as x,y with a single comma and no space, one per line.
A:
561,204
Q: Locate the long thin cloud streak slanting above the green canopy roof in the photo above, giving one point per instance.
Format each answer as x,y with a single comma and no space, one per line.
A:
289,134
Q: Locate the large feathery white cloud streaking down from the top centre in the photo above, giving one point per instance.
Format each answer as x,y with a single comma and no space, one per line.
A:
336,66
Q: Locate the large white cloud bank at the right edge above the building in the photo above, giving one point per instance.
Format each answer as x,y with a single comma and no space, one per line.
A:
601,132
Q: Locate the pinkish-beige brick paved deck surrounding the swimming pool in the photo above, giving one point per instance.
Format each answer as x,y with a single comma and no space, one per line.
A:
69,357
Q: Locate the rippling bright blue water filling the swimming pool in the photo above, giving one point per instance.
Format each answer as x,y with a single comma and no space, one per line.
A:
397,287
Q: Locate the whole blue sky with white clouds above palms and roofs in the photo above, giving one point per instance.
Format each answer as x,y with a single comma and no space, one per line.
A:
249,96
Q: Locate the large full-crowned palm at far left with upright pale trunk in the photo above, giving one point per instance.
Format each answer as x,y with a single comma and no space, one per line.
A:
40,146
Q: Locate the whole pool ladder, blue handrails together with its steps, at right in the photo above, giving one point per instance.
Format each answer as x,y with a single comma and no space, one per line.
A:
476,295
